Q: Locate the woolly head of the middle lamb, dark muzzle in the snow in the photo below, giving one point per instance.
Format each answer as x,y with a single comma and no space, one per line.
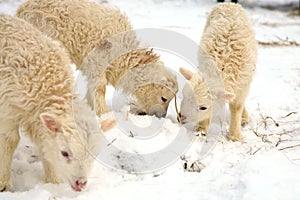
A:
156,88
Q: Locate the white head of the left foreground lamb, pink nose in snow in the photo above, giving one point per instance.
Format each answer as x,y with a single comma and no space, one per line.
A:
69,146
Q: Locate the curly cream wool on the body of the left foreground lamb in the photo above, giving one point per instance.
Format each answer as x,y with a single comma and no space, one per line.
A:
35,73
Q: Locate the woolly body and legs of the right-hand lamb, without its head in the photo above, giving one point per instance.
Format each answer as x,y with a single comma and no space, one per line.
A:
229,41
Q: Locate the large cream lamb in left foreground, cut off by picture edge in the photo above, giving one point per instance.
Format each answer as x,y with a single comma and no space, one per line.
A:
36,86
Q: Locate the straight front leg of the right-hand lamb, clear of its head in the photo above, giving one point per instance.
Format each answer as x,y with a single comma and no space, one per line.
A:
236,109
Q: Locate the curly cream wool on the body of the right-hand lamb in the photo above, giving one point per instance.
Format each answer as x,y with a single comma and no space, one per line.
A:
229,40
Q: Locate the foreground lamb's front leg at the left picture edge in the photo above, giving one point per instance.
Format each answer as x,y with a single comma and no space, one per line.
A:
9,139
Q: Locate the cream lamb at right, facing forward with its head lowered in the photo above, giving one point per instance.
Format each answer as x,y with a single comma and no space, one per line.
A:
228,47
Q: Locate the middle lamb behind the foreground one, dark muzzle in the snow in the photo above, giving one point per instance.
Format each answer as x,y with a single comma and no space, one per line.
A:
102,44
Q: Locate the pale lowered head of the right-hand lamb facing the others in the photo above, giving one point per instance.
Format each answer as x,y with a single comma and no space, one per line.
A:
196,104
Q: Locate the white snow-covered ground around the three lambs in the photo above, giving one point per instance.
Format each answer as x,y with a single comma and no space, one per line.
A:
265,166
